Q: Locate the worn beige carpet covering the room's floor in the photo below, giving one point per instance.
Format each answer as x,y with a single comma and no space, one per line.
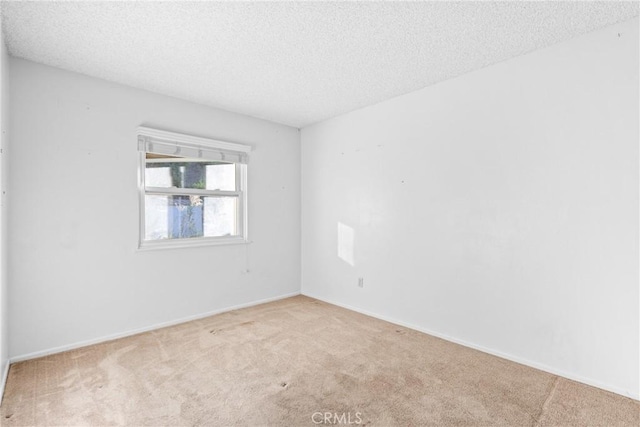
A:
289,363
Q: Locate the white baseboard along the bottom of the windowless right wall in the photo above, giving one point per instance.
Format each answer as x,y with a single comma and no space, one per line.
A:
623,392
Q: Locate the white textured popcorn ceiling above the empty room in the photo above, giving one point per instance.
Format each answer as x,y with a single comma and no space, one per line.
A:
293,62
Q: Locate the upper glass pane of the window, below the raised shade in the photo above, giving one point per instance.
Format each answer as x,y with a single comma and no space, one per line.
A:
170,171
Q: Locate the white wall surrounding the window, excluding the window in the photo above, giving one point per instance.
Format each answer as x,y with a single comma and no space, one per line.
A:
75,273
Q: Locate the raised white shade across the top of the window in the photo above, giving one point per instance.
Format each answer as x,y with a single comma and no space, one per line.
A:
176,144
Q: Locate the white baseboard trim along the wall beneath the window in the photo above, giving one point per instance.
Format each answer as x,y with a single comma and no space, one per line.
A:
80,344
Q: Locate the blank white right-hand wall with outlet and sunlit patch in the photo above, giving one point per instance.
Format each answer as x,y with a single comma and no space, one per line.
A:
499,209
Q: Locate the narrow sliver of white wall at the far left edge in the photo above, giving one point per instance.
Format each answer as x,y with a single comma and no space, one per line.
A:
4,122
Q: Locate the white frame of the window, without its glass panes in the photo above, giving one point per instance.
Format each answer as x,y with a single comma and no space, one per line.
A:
233,150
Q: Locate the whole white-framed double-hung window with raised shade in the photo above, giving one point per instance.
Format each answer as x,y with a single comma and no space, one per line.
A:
193,191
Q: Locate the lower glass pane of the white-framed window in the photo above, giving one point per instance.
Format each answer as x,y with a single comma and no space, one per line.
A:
184,217
